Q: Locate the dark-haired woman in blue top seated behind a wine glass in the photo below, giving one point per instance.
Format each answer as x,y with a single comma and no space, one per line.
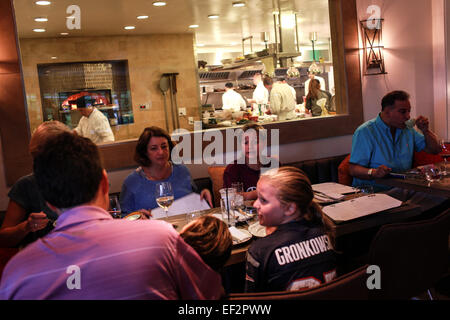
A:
153,155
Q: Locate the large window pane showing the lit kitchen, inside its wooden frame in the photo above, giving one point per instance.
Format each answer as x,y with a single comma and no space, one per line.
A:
143,65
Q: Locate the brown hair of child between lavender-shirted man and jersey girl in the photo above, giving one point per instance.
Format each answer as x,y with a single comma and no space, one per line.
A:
211,239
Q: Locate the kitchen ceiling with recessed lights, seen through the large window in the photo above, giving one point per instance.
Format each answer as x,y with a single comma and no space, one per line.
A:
109,17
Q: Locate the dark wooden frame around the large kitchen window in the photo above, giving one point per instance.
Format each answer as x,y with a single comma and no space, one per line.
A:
343,19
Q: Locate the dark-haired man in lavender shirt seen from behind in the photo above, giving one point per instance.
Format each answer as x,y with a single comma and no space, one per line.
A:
90,255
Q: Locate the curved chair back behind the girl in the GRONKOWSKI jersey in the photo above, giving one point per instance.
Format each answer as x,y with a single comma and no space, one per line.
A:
351,286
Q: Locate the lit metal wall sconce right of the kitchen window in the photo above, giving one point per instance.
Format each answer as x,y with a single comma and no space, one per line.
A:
373,46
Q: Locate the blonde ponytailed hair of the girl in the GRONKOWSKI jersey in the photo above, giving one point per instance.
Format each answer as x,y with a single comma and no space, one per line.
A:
293,186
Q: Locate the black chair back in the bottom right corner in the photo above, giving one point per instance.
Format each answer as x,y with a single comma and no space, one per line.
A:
412,256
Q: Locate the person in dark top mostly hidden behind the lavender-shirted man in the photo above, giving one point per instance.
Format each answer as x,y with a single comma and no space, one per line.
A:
27,216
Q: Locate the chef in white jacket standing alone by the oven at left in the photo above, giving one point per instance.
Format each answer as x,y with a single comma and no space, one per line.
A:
93,123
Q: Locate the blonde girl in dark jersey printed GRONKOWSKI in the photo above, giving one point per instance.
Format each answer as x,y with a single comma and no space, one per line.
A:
296,253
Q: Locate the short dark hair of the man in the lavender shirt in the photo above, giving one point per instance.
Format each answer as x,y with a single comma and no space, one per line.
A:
68,170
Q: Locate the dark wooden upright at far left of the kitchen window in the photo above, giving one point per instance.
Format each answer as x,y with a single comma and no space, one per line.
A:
14,128
